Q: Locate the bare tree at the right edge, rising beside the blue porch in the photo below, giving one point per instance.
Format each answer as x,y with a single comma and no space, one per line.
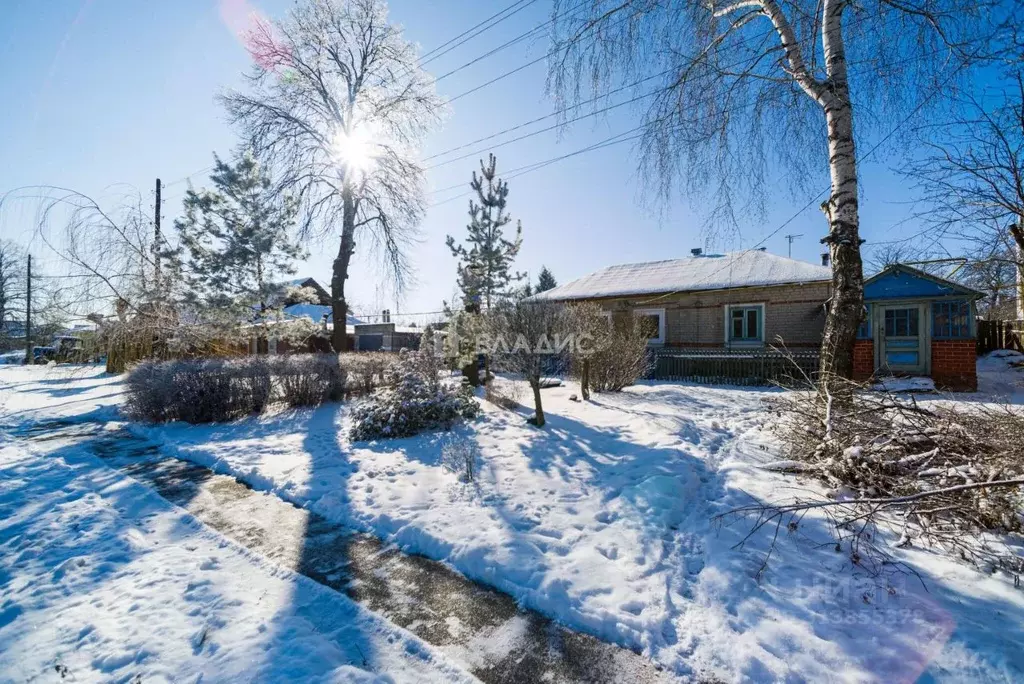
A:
974,179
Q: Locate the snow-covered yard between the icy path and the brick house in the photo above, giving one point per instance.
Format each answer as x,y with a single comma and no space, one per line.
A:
604,521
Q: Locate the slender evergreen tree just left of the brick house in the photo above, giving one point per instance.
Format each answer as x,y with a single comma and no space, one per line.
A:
486,258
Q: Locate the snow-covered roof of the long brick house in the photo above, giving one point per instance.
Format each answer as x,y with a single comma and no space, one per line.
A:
711,272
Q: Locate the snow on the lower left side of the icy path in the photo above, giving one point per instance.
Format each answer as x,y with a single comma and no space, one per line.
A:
102,580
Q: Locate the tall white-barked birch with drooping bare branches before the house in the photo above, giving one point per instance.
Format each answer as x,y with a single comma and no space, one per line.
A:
750,84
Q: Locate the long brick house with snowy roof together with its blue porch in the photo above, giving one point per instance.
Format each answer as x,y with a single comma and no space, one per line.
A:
916,324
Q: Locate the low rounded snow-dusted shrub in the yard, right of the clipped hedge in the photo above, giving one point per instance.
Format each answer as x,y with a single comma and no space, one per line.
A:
408,405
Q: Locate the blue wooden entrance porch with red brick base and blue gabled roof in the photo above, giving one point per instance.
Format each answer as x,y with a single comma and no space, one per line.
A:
918,324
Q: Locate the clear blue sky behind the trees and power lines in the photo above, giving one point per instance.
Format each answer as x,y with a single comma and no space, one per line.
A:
103,93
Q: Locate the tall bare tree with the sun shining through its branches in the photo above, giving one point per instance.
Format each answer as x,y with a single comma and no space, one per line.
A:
338,105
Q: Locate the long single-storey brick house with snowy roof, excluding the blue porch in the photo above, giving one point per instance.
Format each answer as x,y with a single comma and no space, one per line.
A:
743,301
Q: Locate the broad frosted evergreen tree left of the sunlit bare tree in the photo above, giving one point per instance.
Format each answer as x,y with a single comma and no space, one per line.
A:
236,239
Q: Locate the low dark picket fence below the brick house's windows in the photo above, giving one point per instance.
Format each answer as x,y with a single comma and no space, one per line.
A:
735,367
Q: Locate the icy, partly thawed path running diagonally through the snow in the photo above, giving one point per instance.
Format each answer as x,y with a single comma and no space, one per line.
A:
480,629
